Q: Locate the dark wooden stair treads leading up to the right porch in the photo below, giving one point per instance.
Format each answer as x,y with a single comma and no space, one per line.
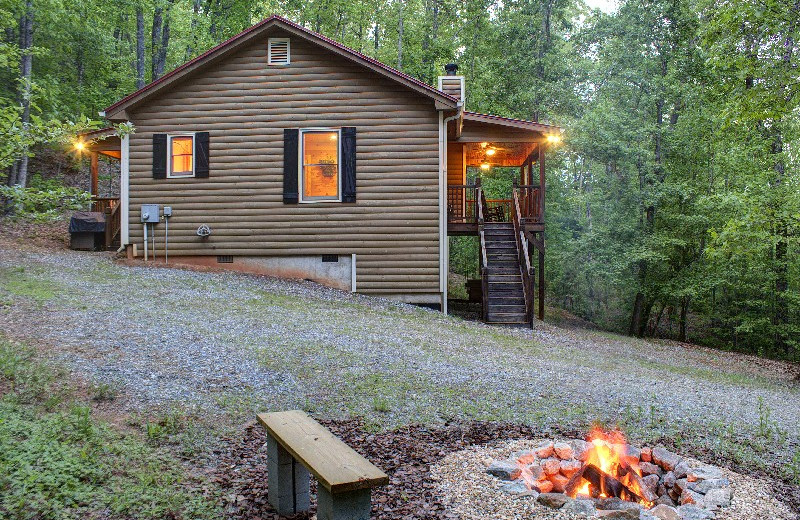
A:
506,292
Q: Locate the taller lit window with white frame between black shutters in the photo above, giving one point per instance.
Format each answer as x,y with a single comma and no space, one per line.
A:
320,178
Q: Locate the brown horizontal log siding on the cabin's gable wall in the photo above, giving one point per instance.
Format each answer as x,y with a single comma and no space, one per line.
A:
245,104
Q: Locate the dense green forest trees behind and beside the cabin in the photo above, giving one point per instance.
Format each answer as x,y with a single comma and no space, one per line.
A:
674,203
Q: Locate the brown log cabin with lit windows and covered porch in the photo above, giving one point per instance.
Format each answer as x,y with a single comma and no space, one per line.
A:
283,152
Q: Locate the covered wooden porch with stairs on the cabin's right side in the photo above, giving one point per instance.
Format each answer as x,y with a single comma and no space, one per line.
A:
477,145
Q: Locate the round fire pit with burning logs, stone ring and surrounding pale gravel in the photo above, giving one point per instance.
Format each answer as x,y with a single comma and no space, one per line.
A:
602,476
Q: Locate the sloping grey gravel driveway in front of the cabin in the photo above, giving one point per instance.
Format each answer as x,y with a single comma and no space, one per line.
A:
223,342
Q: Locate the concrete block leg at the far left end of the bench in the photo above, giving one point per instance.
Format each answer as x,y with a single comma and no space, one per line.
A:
288,480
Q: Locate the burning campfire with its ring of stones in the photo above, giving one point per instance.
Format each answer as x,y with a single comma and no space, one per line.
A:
605,472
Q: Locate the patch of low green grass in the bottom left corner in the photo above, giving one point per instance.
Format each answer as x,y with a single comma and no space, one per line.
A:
58,461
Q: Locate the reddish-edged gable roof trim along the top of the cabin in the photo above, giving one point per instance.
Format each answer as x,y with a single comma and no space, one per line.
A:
223,49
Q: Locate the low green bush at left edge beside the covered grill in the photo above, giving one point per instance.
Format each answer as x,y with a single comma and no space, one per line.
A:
43,200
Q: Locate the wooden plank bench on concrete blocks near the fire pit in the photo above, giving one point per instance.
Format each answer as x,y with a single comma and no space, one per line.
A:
297,444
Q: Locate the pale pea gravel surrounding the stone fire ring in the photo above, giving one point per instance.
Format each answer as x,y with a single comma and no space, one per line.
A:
473,494
